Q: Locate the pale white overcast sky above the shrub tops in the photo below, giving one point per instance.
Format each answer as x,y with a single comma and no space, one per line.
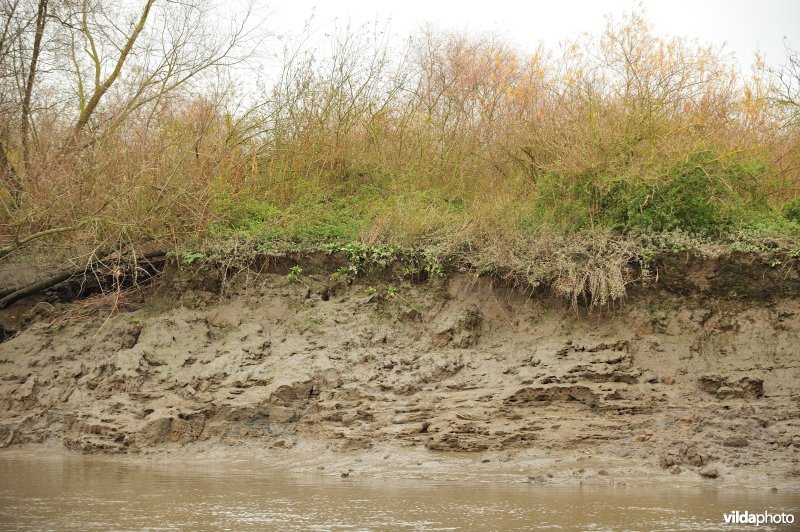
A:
744,26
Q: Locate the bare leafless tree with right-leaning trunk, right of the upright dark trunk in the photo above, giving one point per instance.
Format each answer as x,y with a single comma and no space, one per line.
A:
171,44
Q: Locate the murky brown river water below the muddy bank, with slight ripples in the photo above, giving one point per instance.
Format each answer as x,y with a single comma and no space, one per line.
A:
86,493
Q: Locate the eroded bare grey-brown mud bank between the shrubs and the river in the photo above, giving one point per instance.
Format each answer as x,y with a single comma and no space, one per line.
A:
696,384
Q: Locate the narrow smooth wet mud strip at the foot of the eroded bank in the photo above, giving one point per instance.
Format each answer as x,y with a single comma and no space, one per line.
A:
391,462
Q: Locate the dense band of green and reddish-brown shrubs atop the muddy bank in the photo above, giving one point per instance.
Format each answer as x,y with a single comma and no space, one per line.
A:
567,170
